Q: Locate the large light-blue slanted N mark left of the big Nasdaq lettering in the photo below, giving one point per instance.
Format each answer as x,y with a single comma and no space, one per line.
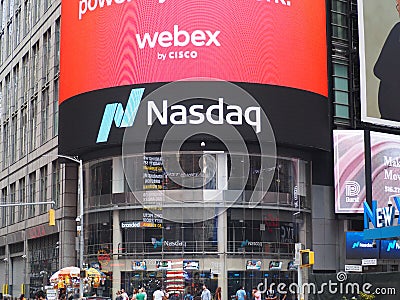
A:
122,119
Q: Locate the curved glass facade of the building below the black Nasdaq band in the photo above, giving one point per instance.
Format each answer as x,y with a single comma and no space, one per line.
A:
140,237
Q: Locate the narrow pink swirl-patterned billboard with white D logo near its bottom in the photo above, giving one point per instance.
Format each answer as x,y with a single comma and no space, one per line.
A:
349,171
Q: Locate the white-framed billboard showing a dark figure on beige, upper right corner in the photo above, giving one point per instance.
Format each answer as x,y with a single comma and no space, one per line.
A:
379,31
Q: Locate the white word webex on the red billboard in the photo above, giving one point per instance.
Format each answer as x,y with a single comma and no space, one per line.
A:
179,38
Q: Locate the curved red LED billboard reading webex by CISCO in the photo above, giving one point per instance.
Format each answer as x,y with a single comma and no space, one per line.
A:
109,43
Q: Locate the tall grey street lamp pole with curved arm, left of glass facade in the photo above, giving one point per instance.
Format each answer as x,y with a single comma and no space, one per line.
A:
80,216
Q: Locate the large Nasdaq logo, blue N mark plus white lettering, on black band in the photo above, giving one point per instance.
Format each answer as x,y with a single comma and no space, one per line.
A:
177,114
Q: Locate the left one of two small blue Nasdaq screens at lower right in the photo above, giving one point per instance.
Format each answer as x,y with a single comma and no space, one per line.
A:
357,247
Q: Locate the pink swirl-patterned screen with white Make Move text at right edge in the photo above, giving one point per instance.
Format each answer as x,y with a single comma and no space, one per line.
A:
385,167
